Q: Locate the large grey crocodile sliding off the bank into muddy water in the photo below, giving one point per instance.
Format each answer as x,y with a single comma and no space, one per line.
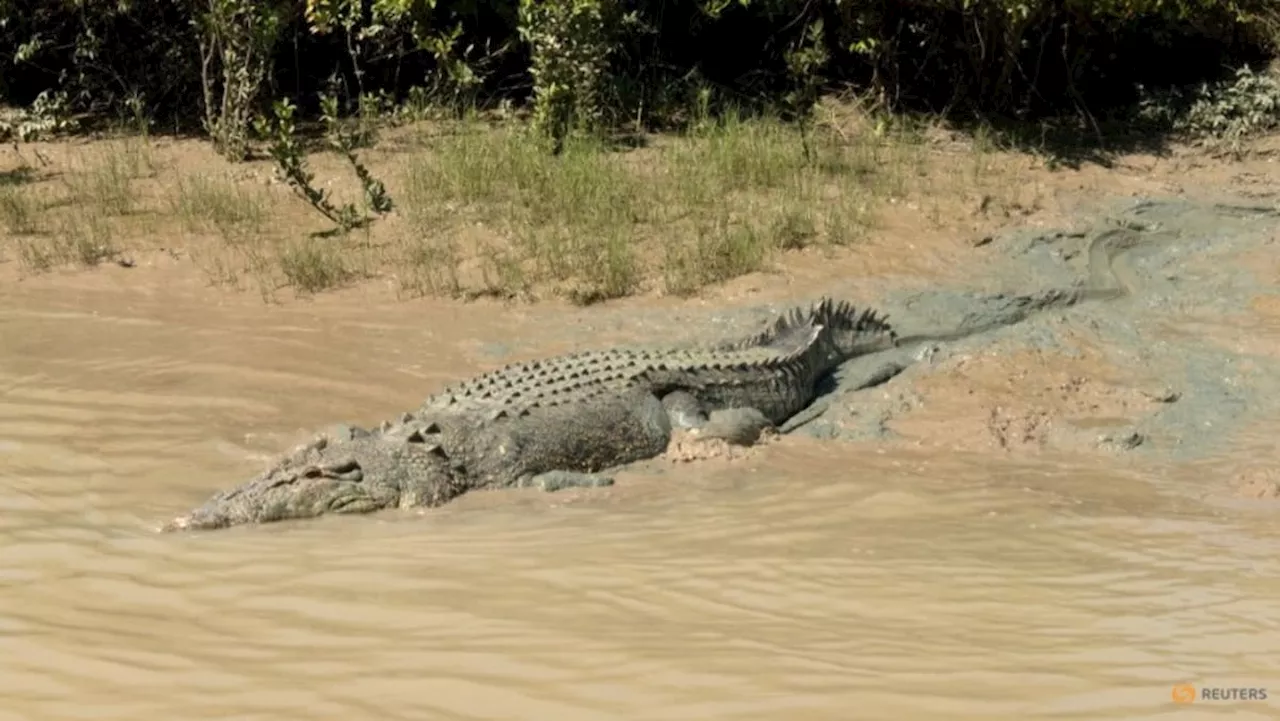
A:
556,423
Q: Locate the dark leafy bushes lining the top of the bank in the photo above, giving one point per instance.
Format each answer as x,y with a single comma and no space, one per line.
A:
217,63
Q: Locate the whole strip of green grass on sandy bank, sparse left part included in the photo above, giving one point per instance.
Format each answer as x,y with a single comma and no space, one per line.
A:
484,209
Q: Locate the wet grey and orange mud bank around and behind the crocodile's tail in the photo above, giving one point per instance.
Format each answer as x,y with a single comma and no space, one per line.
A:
1173,371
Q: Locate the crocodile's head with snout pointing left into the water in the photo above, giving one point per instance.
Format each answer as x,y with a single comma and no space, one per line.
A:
330,476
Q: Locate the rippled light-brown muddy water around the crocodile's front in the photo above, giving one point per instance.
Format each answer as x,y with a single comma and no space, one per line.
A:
819,581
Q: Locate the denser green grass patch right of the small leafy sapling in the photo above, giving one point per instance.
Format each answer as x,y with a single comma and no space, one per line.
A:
595,223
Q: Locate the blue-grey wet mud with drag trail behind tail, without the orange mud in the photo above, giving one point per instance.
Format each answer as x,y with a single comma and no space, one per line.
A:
1183,266
